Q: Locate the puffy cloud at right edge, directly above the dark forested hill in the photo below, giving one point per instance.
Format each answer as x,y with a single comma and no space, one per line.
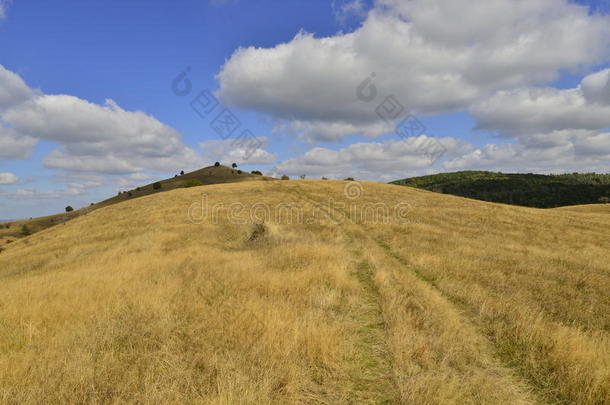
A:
552,127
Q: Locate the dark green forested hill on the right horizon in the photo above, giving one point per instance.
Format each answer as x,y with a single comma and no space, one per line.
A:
530,190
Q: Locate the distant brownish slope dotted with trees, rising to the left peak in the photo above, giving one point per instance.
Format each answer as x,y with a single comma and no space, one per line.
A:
208,175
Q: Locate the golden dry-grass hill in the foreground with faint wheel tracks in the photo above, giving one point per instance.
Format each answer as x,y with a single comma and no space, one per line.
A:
398,296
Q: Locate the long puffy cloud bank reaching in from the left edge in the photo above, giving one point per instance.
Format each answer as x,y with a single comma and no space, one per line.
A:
92,138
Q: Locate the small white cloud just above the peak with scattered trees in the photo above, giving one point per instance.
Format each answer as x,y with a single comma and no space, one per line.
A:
231,151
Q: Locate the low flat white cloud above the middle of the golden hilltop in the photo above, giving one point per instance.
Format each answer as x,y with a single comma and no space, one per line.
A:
376,161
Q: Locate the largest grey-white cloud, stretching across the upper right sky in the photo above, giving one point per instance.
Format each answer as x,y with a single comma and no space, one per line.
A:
433,55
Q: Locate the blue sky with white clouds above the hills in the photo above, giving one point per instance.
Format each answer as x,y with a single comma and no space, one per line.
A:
97,97
